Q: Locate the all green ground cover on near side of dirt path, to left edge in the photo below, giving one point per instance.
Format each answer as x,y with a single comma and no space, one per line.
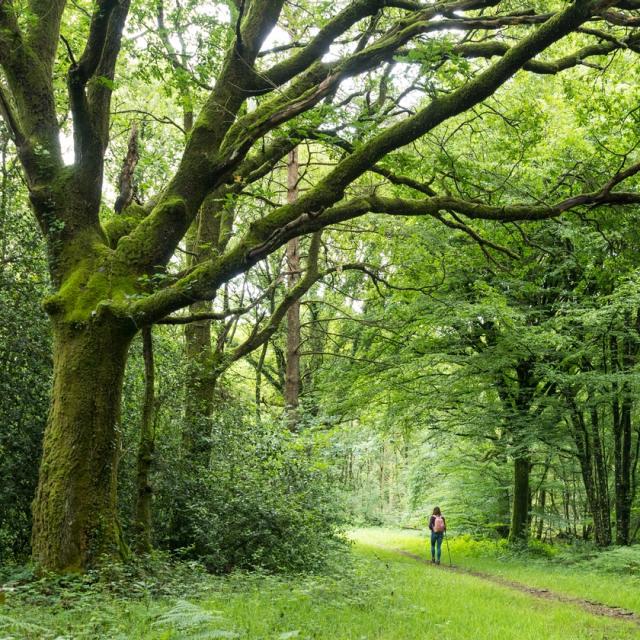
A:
378,595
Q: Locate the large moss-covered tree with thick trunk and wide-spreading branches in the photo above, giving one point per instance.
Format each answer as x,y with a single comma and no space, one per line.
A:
113,275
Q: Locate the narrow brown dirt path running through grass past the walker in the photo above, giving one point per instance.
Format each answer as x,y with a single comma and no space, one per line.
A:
596,608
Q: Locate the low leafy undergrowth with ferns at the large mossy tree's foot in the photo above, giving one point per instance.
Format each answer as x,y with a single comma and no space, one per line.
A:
161,597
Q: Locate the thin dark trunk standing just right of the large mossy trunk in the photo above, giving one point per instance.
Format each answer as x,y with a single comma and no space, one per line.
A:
144,491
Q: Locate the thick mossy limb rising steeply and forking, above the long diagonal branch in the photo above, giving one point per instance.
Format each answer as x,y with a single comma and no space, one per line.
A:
219,143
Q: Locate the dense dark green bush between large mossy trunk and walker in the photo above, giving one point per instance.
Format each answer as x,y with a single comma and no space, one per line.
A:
266,500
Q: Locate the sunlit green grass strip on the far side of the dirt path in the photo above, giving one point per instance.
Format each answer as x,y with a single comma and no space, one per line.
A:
590,579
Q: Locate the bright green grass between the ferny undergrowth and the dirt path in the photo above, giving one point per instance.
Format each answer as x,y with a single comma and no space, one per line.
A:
393,597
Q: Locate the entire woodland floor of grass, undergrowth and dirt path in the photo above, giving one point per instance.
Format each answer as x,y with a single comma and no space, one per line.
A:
387,591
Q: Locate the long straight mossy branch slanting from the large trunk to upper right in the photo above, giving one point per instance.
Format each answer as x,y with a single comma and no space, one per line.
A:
309,212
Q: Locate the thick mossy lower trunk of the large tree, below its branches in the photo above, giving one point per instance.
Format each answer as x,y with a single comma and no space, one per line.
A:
74,514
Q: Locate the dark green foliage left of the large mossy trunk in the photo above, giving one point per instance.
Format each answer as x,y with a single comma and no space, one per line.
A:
25,363
